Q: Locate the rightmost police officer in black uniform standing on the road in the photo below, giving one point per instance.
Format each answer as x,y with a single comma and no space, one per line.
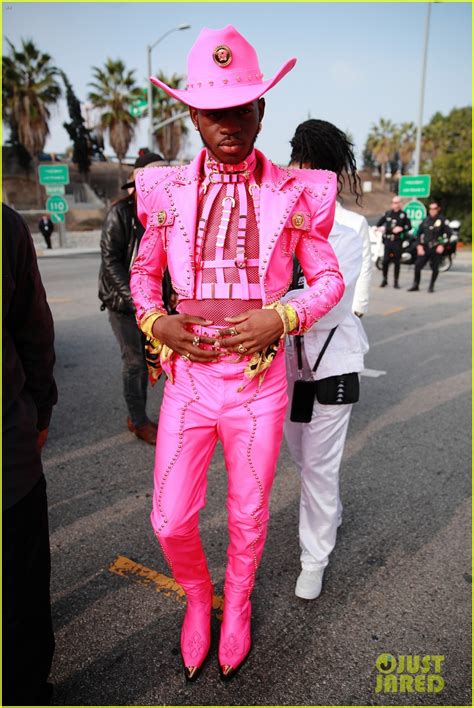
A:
432,237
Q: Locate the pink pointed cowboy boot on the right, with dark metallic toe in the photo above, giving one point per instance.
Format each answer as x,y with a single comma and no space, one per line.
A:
235,640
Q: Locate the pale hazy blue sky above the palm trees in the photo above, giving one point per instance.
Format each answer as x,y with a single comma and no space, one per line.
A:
357,62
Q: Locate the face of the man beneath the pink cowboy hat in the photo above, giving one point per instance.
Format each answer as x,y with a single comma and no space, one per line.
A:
229,133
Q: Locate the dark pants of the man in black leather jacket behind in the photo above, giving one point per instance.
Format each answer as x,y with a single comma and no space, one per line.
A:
134,370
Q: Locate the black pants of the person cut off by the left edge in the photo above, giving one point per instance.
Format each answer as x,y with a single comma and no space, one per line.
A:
28,639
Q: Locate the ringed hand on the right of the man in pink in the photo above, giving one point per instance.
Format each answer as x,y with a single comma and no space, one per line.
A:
252,331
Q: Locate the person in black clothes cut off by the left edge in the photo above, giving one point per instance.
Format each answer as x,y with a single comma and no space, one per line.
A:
28,395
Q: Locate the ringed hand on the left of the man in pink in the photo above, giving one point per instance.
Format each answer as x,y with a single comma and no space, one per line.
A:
173,330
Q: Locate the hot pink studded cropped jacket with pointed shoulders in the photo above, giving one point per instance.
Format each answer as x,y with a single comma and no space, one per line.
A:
296,216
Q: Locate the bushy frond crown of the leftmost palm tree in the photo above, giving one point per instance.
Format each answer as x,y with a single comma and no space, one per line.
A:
29,87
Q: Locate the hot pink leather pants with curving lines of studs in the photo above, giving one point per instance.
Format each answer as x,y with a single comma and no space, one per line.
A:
201,407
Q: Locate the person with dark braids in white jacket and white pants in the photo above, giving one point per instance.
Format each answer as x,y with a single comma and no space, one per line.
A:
317,447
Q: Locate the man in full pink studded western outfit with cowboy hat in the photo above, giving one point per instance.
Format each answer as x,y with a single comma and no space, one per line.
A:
227,226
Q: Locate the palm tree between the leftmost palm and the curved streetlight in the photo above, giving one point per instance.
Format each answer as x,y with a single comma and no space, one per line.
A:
114,89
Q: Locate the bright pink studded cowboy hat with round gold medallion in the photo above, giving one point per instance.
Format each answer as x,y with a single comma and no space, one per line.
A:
223,71
